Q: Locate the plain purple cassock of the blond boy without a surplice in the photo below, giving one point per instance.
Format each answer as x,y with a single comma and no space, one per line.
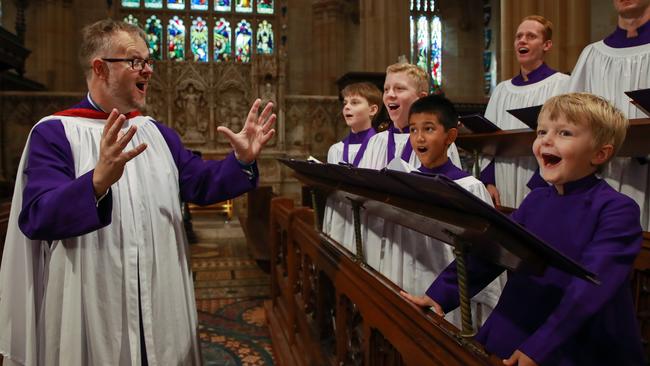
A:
558,319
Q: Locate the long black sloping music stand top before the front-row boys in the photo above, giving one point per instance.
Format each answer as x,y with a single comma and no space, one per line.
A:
496,238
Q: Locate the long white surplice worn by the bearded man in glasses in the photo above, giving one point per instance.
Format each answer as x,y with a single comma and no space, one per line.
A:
77,300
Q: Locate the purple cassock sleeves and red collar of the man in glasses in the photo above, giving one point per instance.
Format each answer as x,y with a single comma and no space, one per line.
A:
58,205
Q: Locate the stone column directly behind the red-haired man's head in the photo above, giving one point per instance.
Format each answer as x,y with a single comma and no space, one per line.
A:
571,31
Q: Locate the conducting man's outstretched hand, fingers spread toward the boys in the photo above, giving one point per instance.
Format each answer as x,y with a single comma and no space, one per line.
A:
257,131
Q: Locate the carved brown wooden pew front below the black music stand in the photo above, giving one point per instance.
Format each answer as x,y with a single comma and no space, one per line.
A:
327,309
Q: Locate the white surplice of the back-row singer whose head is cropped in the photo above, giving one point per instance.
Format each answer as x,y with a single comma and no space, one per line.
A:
609,72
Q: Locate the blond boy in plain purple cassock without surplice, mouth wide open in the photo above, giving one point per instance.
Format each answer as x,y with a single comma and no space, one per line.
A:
556,318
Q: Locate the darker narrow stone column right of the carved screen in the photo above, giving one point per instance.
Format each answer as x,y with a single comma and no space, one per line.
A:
328,45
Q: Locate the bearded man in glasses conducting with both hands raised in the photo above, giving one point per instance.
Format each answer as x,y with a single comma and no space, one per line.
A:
96,265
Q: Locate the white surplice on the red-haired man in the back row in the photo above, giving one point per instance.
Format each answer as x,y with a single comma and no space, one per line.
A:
512,174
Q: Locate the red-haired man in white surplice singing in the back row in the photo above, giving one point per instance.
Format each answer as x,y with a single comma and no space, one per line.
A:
510,179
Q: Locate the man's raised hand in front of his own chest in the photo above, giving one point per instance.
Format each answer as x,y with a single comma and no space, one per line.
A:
112,158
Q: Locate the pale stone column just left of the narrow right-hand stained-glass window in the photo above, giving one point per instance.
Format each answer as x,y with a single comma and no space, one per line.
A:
385,33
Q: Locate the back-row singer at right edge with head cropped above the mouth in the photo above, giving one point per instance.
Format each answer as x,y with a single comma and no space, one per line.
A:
609,68
